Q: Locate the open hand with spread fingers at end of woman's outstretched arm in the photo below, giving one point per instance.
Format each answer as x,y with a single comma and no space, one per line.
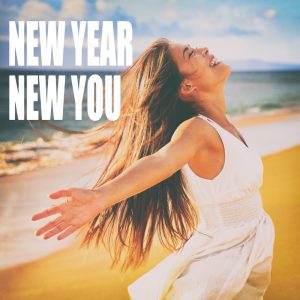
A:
81,207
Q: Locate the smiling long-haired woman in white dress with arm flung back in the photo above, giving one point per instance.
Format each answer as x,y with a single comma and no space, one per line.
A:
175,154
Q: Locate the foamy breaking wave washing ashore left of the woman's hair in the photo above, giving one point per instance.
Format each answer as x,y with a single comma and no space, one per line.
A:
17,158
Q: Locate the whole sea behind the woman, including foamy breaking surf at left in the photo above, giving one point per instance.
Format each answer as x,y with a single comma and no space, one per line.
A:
25,148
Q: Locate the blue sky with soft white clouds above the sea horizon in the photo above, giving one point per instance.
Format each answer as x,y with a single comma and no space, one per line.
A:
233,30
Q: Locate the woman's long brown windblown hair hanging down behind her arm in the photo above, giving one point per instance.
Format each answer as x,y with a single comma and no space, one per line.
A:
150,113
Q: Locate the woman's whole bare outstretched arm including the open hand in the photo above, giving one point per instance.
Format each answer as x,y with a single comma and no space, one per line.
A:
84,204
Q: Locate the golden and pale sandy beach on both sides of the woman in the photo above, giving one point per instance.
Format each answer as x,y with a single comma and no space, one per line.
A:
32,268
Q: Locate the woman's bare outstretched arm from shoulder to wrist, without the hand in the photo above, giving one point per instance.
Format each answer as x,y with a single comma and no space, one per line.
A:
152,169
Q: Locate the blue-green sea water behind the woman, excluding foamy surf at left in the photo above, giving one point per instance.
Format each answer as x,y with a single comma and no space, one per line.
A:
245,92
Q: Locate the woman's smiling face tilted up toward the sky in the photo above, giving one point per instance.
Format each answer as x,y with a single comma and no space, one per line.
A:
198,66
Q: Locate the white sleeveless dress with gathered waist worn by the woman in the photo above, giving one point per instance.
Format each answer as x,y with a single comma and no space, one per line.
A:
230,254
